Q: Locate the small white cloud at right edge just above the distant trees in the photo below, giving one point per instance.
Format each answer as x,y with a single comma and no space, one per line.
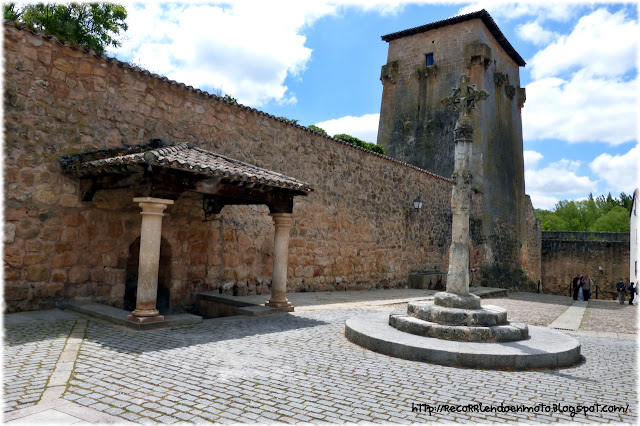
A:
621,172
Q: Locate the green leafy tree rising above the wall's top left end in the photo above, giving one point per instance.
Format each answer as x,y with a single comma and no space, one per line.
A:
93,25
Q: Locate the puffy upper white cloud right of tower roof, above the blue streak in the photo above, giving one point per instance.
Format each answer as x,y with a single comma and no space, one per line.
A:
601,43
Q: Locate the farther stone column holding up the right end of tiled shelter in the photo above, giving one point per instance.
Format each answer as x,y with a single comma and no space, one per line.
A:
283,222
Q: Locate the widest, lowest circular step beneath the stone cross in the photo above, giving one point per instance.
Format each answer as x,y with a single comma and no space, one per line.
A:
543,349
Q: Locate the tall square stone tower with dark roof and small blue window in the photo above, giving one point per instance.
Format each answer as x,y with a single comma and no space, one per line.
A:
423,65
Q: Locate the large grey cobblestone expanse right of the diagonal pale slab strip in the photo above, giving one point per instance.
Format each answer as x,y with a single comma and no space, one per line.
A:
300,368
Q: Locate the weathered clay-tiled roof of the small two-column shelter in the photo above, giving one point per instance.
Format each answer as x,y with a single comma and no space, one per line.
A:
185,157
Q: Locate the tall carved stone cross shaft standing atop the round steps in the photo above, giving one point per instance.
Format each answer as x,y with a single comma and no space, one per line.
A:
463,99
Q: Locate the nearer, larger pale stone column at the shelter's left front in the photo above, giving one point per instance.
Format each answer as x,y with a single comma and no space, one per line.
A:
149,263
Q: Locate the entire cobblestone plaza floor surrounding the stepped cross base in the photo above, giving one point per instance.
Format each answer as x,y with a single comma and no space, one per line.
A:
299,368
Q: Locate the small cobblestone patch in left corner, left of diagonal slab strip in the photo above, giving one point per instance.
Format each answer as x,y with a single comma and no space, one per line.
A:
31,351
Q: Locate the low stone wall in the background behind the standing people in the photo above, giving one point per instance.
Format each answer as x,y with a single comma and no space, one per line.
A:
566,254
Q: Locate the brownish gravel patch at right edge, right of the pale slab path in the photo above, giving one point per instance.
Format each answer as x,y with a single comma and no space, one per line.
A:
609,315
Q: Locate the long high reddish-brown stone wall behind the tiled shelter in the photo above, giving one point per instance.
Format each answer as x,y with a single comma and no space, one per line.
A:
356,230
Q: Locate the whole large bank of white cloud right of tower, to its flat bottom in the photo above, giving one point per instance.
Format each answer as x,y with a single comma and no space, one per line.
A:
596,101
